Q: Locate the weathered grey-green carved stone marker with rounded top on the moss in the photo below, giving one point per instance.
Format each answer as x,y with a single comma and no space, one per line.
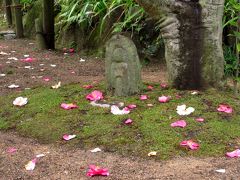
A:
123,69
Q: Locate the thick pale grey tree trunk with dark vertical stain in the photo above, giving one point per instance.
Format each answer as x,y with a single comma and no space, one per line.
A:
192,32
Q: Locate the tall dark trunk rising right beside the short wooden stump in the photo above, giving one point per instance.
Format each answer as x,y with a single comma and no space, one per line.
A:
48,23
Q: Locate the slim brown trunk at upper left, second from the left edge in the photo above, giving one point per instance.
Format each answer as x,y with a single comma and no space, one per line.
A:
18,19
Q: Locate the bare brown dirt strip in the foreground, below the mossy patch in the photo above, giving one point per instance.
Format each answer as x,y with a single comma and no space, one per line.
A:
63,163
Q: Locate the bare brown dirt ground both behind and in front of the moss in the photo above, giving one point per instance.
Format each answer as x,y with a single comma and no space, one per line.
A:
63,163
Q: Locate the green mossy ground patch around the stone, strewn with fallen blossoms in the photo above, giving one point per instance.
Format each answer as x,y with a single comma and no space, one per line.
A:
43,119
